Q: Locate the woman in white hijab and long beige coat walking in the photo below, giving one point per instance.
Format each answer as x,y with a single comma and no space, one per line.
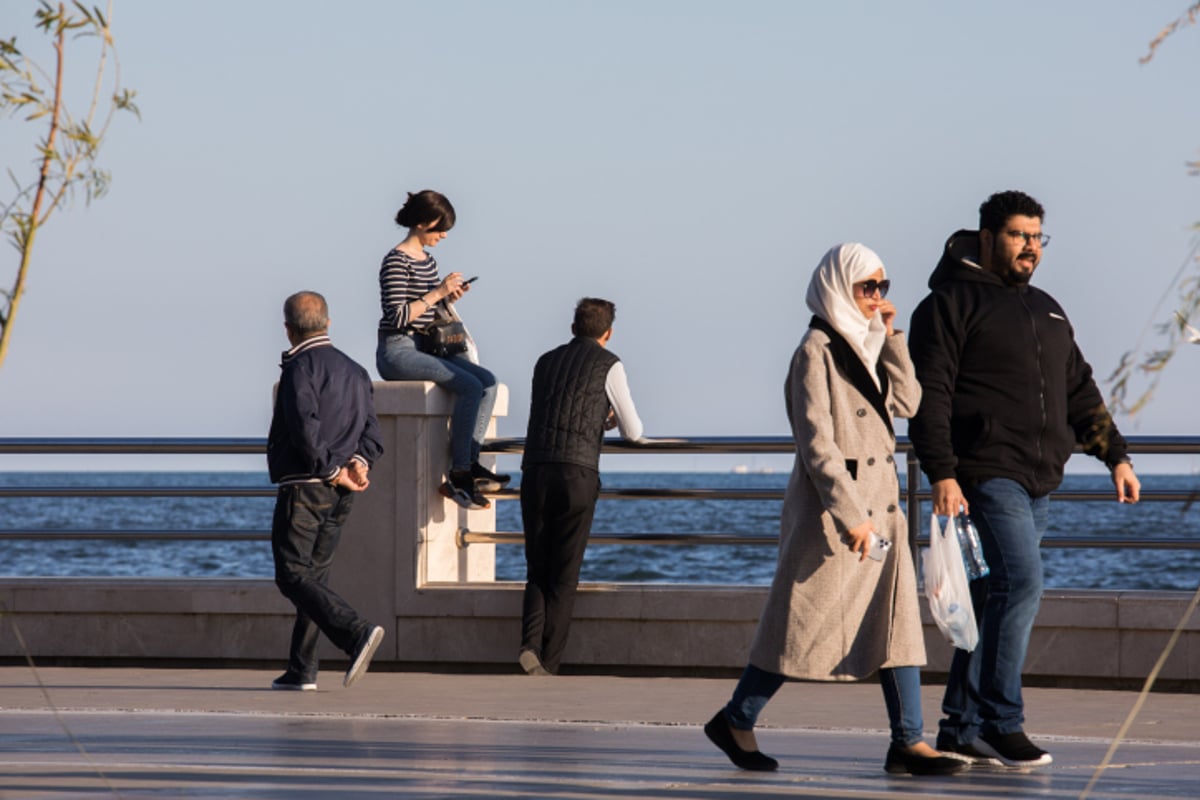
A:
844,600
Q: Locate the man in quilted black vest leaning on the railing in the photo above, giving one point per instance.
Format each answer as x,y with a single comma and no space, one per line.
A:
579,392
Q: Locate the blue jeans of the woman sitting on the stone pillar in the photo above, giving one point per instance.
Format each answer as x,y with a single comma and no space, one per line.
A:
473,387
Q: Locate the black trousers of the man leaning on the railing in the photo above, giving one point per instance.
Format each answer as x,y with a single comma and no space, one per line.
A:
557,506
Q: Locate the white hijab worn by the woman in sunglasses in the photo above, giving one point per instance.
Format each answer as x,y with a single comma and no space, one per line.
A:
832,298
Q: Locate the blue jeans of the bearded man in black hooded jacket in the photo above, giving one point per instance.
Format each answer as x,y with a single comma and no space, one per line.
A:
983,691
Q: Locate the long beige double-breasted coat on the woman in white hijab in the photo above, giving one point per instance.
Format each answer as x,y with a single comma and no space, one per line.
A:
829,616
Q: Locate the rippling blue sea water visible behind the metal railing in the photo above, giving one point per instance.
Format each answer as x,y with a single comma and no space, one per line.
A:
737,564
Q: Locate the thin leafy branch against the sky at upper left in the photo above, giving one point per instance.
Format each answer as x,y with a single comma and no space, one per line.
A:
67,157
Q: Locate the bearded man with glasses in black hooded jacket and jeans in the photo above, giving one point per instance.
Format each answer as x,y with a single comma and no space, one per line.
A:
1006,398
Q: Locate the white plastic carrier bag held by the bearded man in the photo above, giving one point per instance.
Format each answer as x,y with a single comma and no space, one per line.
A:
947,588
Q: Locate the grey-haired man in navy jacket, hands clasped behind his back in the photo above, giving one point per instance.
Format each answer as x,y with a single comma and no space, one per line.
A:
323,441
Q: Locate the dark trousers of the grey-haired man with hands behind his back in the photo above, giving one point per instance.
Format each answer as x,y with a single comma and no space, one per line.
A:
305,531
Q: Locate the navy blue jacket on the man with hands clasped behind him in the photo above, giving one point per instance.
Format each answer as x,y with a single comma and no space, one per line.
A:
325,416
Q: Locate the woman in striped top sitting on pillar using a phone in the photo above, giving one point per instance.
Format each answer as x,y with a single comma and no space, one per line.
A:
410,291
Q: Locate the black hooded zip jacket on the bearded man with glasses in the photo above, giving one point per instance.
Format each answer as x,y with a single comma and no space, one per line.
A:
1006,390
